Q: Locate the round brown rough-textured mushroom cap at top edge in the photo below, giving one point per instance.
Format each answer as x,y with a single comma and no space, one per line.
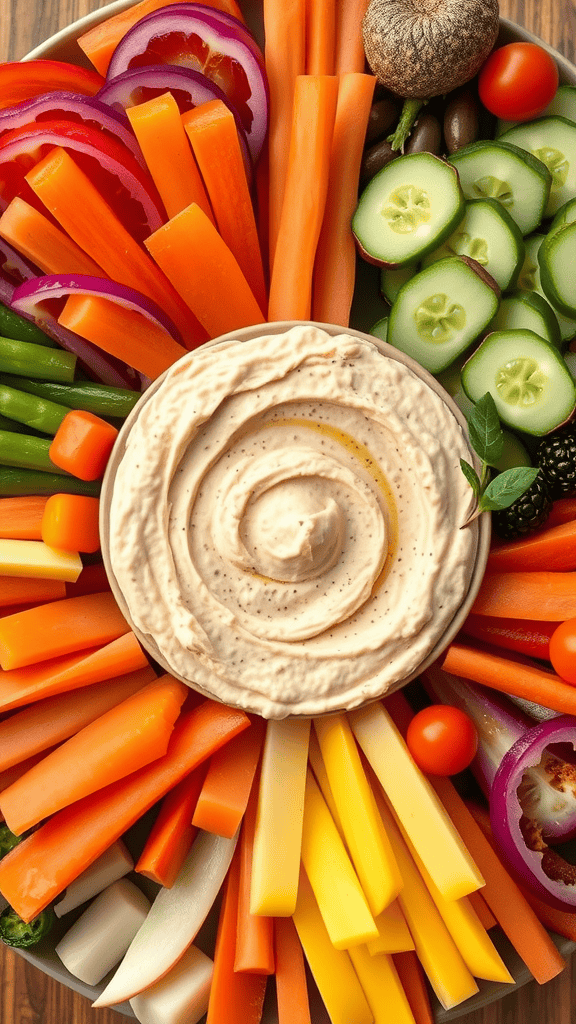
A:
423,49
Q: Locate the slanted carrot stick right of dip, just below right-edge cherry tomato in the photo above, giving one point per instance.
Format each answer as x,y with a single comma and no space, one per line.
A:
519,678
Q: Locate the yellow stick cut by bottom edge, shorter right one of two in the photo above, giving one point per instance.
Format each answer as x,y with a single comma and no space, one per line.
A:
383,988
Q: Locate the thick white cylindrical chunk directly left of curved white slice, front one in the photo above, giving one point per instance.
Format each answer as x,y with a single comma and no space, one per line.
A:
102,935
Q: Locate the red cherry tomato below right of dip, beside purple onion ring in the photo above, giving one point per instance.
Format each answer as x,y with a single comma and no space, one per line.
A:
442,740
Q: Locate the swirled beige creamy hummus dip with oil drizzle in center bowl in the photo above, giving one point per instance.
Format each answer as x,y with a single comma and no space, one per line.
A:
285,522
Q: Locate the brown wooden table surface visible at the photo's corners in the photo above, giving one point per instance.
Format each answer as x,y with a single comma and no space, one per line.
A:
27,997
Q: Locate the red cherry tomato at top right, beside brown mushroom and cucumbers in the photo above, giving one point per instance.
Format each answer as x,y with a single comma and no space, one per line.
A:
518,81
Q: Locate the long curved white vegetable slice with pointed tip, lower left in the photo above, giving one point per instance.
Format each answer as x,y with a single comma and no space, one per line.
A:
175,920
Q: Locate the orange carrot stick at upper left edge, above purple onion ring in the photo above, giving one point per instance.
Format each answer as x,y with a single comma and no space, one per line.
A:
40,241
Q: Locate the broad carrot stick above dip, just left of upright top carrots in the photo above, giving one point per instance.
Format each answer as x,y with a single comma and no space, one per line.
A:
202,269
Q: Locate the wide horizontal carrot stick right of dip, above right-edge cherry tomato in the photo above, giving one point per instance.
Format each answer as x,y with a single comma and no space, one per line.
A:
547,596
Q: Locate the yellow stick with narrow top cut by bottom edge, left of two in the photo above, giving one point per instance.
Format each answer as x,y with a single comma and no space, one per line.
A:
333,970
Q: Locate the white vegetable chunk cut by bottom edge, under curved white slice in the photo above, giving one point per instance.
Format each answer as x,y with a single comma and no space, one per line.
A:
182,997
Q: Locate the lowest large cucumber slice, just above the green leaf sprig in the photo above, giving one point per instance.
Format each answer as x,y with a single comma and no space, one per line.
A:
528,379
